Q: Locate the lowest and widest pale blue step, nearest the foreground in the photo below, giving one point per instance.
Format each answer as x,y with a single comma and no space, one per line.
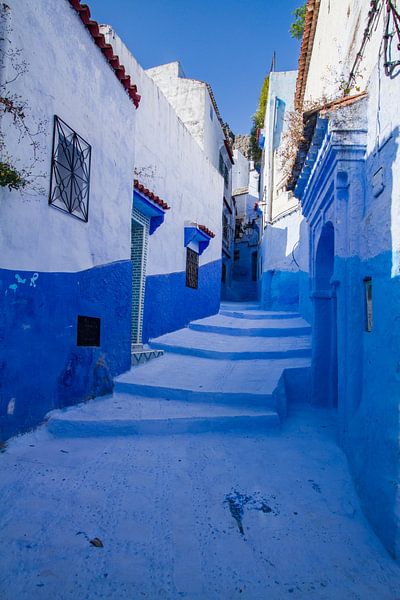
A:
126,415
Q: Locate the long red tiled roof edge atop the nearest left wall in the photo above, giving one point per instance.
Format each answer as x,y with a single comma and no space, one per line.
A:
107,50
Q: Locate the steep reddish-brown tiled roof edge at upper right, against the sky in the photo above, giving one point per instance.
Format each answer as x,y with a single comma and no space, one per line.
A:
307,44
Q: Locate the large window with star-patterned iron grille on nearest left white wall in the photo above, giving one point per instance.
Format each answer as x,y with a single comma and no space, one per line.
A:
70,171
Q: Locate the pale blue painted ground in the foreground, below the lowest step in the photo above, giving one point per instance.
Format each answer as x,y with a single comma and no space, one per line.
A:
202,517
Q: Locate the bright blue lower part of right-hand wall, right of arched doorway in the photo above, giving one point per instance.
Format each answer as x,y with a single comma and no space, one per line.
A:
369,384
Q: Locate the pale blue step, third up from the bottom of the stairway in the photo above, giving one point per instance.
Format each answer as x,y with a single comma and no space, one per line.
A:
226,347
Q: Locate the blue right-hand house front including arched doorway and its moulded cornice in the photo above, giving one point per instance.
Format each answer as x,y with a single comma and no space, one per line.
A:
359,369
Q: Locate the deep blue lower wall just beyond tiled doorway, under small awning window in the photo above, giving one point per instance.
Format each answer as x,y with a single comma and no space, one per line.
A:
170,305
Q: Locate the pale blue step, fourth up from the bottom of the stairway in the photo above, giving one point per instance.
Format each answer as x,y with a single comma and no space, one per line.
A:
228,325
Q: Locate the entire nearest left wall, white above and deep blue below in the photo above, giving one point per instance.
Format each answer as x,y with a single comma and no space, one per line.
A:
54,267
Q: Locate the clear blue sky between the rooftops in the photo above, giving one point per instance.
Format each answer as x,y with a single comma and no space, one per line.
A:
228,43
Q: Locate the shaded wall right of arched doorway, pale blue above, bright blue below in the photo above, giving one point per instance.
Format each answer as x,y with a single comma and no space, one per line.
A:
369,380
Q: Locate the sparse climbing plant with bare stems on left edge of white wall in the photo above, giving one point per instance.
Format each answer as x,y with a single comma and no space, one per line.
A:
14,111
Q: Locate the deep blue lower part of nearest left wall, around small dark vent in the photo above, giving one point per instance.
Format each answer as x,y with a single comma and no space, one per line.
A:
41,367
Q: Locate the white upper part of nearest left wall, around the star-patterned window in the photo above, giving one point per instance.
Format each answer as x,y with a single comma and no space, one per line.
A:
68,76
